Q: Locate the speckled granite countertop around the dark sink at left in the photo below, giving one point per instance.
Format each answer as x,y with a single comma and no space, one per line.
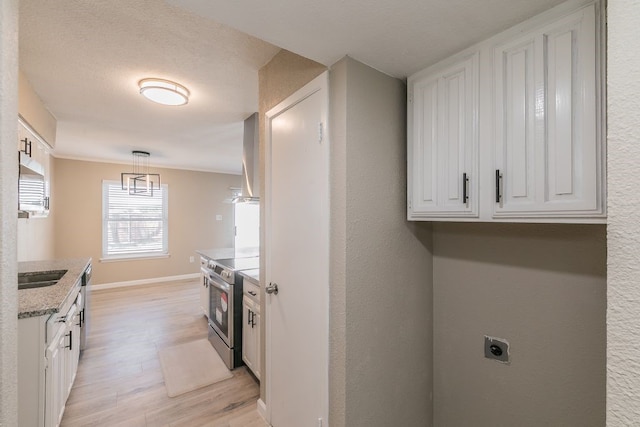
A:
47,300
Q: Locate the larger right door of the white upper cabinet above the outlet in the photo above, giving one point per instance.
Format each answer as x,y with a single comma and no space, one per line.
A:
547,147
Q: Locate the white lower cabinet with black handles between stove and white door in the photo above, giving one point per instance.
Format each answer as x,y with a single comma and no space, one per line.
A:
251,328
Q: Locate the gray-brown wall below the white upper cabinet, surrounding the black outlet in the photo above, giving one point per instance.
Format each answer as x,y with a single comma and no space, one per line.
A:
543,288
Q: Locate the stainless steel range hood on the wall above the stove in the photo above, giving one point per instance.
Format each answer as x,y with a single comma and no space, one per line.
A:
250,162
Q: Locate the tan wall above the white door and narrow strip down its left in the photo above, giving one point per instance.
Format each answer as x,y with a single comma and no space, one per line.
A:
281,77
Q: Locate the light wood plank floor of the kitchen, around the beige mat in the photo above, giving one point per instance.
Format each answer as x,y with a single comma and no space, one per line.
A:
119,380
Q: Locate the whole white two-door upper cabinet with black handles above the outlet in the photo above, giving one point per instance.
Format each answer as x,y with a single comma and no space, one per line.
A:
535,119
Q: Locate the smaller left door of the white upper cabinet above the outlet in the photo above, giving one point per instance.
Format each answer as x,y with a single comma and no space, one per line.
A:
443,141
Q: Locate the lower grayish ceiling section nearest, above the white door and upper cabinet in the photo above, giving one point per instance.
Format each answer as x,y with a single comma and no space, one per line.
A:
398,37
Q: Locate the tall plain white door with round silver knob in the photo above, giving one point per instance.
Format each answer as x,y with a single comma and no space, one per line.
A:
296,248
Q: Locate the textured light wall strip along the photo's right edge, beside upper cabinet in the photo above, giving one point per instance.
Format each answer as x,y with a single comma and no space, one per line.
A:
623,271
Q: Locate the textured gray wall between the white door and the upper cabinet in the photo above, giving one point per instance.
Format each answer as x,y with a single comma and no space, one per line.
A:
381,291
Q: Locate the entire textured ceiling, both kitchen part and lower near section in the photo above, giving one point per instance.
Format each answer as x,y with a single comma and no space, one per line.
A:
85,57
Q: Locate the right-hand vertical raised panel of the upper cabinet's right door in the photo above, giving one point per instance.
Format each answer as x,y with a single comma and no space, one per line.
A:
571,109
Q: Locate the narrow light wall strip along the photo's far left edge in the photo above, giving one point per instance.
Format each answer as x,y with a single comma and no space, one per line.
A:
8,212
